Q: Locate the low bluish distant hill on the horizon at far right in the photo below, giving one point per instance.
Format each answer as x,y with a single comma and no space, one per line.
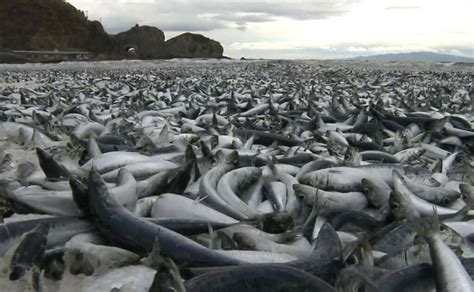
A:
417,56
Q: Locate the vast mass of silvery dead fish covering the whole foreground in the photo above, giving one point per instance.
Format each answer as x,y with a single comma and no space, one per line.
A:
243,176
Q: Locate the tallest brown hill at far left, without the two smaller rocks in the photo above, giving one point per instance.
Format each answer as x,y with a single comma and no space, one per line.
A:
48,25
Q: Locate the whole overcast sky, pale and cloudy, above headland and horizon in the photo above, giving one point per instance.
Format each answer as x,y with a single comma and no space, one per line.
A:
302,28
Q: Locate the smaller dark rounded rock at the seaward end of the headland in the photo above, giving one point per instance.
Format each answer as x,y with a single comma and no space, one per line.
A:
189,45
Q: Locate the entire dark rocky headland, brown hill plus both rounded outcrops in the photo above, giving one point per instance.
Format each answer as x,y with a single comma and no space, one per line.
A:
57,25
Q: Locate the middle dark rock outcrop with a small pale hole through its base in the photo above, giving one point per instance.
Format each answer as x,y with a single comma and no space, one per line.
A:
146,42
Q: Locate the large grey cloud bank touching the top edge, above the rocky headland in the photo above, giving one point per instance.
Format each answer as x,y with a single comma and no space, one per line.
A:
191,15
